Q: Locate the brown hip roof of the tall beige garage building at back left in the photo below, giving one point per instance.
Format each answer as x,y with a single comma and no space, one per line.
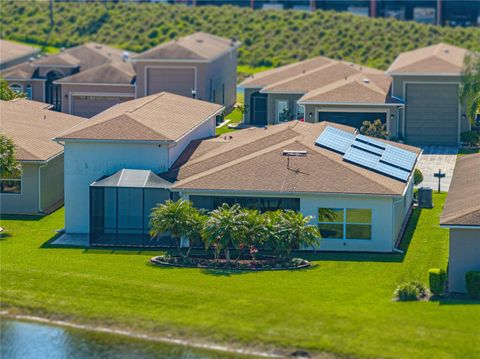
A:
198,46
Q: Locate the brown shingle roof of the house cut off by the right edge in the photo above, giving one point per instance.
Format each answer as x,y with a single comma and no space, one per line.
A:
463,202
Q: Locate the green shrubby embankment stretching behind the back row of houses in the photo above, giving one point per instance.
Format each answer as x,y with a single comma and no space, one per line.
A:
269,38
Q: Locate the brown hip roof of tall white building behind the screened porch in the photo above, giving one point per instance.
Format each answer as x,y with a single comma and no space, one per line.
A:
159,117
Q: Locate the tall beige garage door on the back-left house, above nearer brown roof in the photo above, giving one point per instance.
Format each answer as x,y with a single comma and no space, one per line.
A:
178,81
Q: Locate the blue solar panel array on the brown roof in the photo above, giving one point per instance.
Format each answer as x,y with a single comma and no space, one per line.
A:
369,153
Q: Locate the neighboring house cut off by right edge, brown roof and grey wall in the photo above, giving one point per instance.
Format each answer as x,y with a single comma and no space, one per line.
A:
461,215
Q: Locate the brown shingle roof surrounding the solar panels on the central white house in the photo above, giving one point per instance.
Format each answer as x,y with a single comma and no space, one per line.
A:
252,160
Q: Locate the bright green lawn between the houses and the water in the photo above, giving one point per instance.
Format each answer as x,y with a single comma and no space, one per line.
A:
343,305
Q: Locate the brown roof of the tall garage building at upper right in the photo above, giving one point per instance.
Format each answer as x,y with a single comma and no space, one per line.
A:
435,59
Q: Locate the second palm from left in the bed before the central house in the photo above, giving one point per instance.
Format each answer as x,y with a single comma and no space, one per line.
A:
224,227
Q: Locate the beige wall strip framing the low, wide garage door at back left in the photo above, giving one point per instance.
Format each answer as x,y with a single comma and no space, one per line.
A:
68,91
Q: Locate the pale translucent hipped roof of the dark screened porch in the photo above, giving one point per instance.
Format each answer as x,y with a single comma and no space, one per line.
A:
132,179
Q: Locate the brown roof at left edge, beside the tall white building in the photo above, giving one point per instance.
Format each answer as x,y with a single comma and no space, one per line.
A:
32,128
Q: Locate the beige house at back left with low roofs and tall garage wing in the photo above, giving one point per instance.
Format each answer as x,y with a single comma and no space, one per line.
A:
87,79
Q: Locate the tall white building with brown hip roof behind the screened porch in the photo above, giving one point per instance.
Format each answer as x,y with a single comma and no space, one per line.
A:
148,133
